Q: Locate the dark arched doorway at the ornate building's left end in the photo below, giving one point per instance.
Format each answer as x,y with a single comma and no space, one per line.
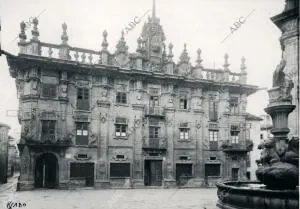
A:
46,171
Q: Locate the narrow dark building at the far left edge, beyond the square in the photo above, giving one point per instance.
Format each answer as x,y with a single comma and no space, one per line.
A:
3,152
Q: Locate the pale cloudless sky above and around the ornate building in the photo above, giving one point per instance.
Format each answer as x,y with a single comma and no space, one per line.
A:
200,24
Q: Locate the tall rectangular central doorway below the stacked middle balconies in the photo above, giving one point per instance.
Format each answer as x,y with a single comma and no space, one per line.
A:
153,173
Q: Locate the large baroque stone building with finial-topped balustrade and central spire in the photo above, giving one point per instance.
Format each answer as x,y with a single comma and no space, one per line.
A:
130,120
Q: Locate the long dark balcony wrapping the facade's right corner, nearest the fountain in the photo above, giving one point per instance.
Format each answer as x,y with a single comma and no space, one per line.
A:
241,146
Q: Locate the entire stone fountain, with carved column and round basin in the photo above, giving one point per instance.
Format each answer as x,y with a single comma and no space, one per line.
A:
278,166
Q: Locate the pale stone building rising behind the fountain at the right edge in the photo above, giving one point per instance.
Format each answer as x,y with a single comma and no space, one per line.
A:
288,23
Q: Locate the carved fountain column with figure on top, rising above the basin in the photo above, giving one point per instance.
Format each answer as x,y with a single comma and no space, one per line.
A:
278,166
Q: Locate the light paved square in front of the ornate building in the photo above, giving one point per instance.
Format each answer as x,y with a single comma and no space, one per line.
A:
112,199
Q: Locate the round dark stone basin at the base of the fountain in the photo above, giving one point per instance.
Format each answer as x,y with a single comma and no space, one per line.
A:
252,194
